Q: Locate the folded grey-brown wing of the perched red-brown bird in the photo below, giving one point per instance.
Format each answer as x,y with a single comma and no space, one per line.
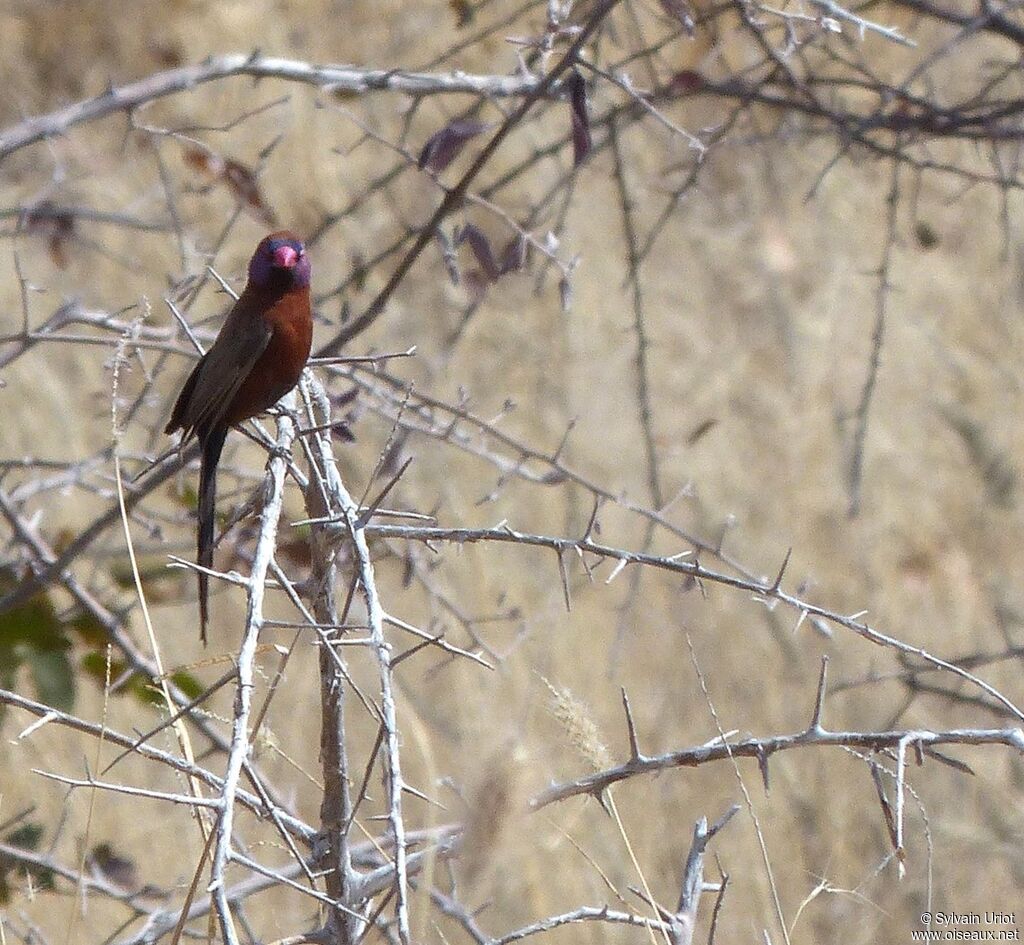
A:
219,377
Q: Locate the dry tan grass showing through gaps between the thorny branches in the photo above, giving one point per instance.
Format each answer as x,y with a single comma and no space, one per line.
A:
760,307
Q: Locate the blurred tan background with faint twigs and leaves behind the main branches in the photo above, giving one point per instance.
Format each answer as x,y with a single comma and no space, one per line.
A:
753,280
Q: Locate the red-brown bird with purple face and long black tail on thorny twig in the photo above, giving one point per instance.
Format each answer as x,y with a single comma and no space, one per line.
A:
257,360
